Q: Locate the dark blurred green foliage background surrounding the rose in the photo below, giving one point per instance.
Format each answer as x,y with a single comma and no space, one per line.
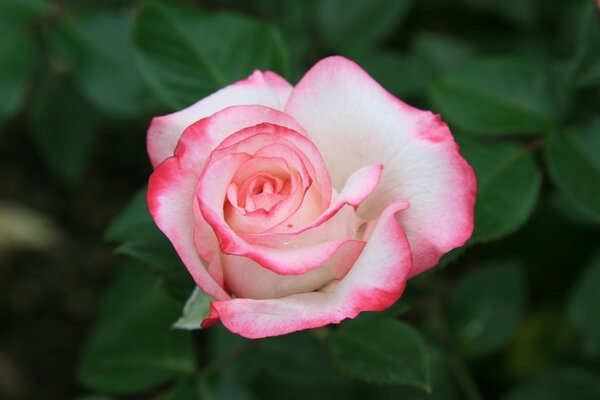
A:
89,289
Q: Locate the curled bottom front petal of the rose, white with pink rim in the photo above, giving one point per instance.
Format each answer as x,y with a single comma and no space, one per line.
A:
375,281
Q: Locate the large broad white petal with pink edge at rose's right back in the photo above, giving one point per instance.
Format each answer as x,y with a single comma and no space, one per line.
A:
355,122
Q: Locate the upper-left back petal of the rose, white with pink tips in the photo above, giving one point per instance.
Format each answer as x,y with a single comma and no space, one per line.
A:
266,89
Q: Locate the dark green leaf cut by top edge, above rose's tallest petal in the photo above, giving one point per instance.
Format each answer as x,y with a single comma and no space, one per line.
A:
358,23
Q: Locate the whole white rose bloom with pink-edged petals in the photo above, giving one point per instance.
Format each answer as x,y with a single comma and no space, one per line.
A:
297,207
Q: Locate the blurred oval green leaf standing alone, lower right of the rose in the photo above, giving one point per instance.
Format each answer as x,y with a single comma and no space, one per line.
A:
486,307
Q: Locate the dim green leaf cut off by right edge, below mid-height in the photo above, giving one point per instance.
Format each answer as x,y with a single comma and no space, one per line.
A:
584,312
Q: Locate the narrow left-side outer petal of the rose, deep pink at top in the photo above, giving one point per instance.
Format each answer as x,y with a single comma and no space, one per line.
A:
171,193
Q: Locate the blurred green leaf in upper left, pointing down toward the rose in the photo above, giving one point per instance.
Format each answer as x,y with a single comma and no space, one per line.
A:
98,50
